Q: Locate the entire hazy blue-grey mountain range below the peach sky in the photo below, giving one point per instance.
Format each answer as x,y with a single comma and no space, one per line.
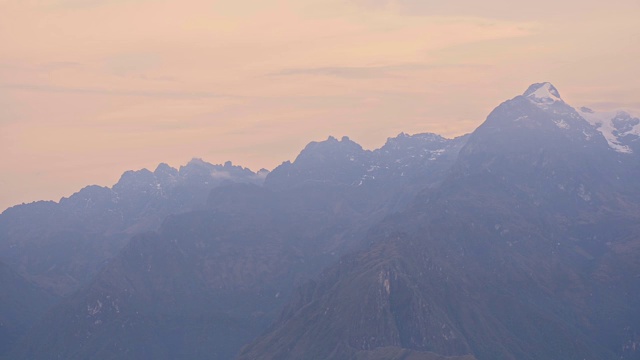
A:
518,241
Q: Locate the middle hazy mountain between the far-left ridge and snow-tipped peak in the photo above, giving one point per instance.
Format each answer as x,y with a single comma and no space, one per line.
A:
211,280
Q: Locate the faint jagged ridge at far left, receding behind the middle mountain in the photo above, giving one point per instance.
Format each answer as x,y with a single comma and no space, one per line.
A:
62,245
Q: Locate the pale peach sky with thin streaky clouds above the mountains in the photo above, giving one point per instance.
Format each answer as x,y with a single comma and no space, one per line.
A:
92,88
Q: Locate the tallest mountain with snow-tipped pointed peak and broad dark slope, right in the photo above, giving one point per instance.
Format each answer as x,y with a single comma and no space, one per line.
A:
528,250
